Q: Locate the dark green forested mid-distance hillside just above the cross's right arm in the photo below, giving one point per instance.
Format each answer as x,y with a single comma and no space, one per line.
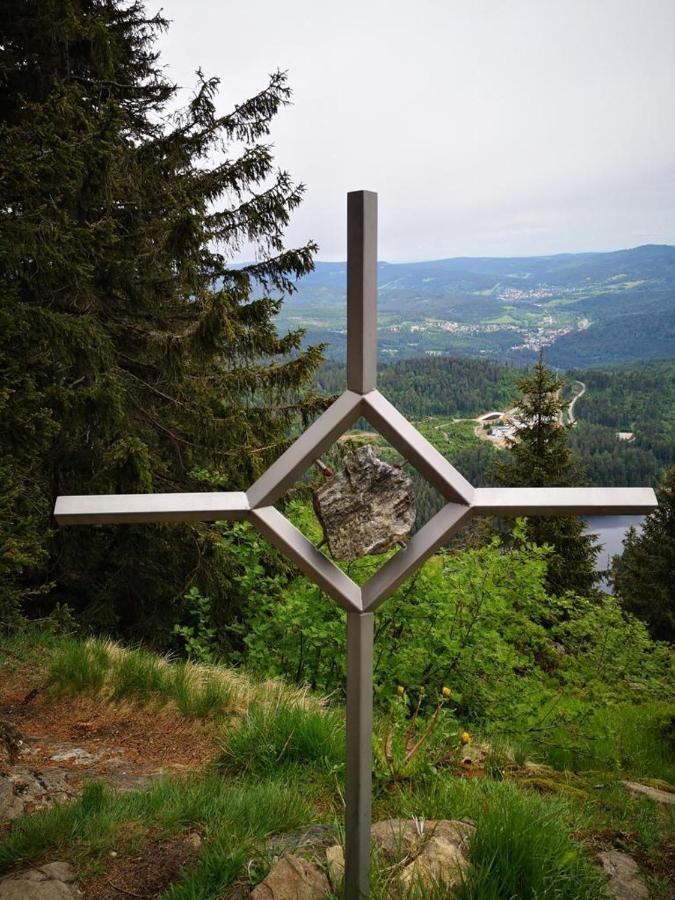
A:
637,399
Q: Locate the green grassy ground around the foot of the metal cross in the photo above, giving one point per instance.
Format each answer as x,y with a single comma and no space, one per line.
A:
278,765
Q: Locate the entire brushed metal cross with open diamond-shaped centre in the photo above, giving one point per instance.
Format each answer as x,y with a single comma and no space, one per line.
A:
256,506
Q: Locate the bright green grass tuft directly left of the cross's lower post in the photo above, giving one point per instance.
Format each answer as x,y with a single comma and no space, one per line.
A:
270,737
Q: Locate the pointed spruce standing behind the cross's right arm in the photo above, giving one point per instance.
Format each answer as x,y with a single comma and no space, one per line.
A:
540,456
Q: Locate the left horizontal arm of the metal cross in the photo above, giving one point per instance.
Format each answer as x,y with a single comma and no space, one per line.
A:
111,509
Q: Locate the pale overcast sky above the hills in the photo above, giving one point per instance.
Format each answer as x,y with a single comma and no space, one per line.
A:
488,127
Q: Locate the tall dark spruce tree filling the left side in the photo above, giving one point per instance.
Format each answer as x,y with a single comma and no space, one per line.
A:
134,356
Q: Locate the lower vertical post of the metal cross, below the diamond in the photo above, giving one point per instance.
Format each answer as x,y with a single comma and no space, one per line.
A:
359,753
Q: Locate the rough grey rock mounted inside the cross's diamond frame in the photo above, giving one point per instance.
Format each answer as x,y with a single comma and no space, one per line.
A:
367,508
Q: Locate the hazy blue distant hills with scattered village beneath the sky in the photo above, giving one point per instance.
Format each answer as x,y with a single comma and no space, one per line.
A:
587,309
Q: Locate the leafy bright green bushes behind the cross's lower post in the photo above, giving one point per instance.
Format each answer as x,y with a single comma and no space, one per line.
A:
522,666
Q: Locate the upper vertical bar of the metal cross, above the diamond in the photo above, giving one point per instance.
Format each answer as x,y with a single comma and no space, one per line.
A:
361,291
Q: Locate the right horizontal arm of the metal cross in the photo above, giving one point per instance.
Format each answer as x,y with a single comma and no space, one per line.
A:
523,501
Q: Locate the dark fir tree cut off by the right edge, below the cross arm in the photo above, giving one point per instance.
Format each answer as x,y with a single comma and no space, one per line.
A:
643,575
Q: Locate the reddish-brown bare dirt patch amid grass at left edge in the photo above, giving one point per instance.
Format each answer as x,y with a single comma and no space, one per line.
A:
49,747
